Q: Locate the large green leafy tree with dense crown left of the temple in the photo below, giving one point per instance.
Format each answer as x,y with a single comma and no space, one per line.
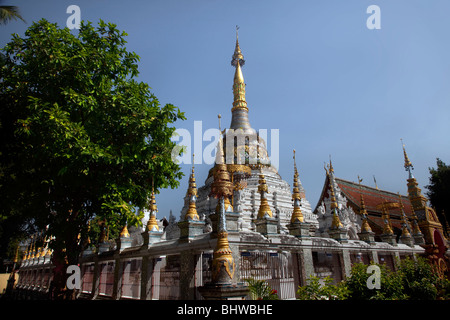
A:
82,139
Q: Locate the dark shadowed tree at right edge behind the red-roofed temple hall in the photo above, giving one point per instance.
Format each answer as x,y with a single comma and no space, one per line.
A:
439,191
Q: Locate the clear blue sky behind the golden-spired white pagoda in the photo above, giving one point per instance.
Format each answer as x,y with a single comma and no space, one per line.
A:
313,70
